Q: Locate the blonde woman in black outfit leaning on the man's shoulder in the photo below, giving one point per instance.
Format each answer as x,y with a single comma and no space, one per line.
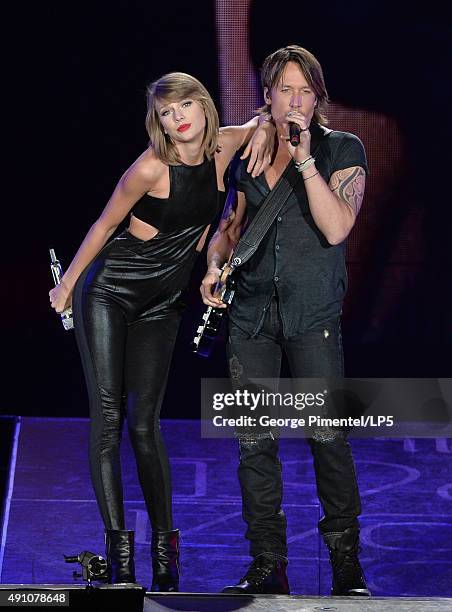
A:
126,301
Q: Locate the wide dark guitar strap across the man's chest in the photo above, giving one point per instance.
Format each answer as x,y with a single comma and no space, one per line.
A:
267,213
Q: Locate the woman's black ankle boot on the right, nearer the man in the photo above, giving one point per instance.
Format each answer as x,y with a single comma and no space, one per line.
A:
165,560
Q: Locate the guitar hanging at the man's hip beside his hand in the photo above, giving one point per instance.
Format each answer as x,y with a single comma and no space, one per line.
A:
212,319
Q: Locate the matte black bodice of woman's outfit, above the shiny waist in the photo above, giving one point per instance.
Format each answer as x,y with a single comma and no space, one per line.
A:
193,199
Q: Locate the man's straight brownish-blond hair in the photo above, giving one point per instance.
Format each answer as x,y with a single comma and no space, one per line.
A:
273,68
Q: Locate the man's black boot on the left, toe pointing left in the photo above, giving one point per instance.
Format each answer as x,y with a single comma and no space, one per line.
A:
266,574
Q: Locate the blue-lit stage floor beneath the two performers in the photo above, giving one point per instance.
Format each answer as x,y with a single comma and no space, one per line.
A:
406,521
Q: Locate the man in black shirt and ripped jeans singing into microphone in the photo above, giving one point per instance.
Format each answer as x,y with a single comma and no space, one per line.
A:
288,298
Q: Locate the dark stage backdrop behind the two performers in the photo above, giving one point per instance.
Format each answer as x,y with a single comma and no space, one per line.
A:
79,108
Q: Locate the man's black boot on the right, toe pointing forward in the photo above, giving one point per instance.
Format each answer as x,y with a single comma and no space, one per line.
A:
348,576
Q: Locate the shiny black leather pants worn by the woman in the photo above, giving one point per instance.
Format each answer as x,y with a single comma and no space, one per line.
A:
126,352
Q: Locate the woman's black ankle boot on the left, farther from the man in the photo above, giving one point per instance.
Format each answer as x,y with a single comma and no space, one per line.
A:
120,550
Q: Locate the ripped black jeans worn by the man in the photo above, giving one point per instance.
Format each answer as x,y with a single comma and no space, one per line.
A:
315,354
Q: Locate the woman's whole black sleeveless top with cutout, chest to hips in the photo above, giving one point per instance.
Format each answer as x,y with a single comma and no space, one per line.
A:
147,277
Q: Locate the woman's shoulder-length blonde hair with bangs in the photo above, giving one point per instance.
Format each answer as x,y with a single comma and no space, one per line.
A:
173,87
